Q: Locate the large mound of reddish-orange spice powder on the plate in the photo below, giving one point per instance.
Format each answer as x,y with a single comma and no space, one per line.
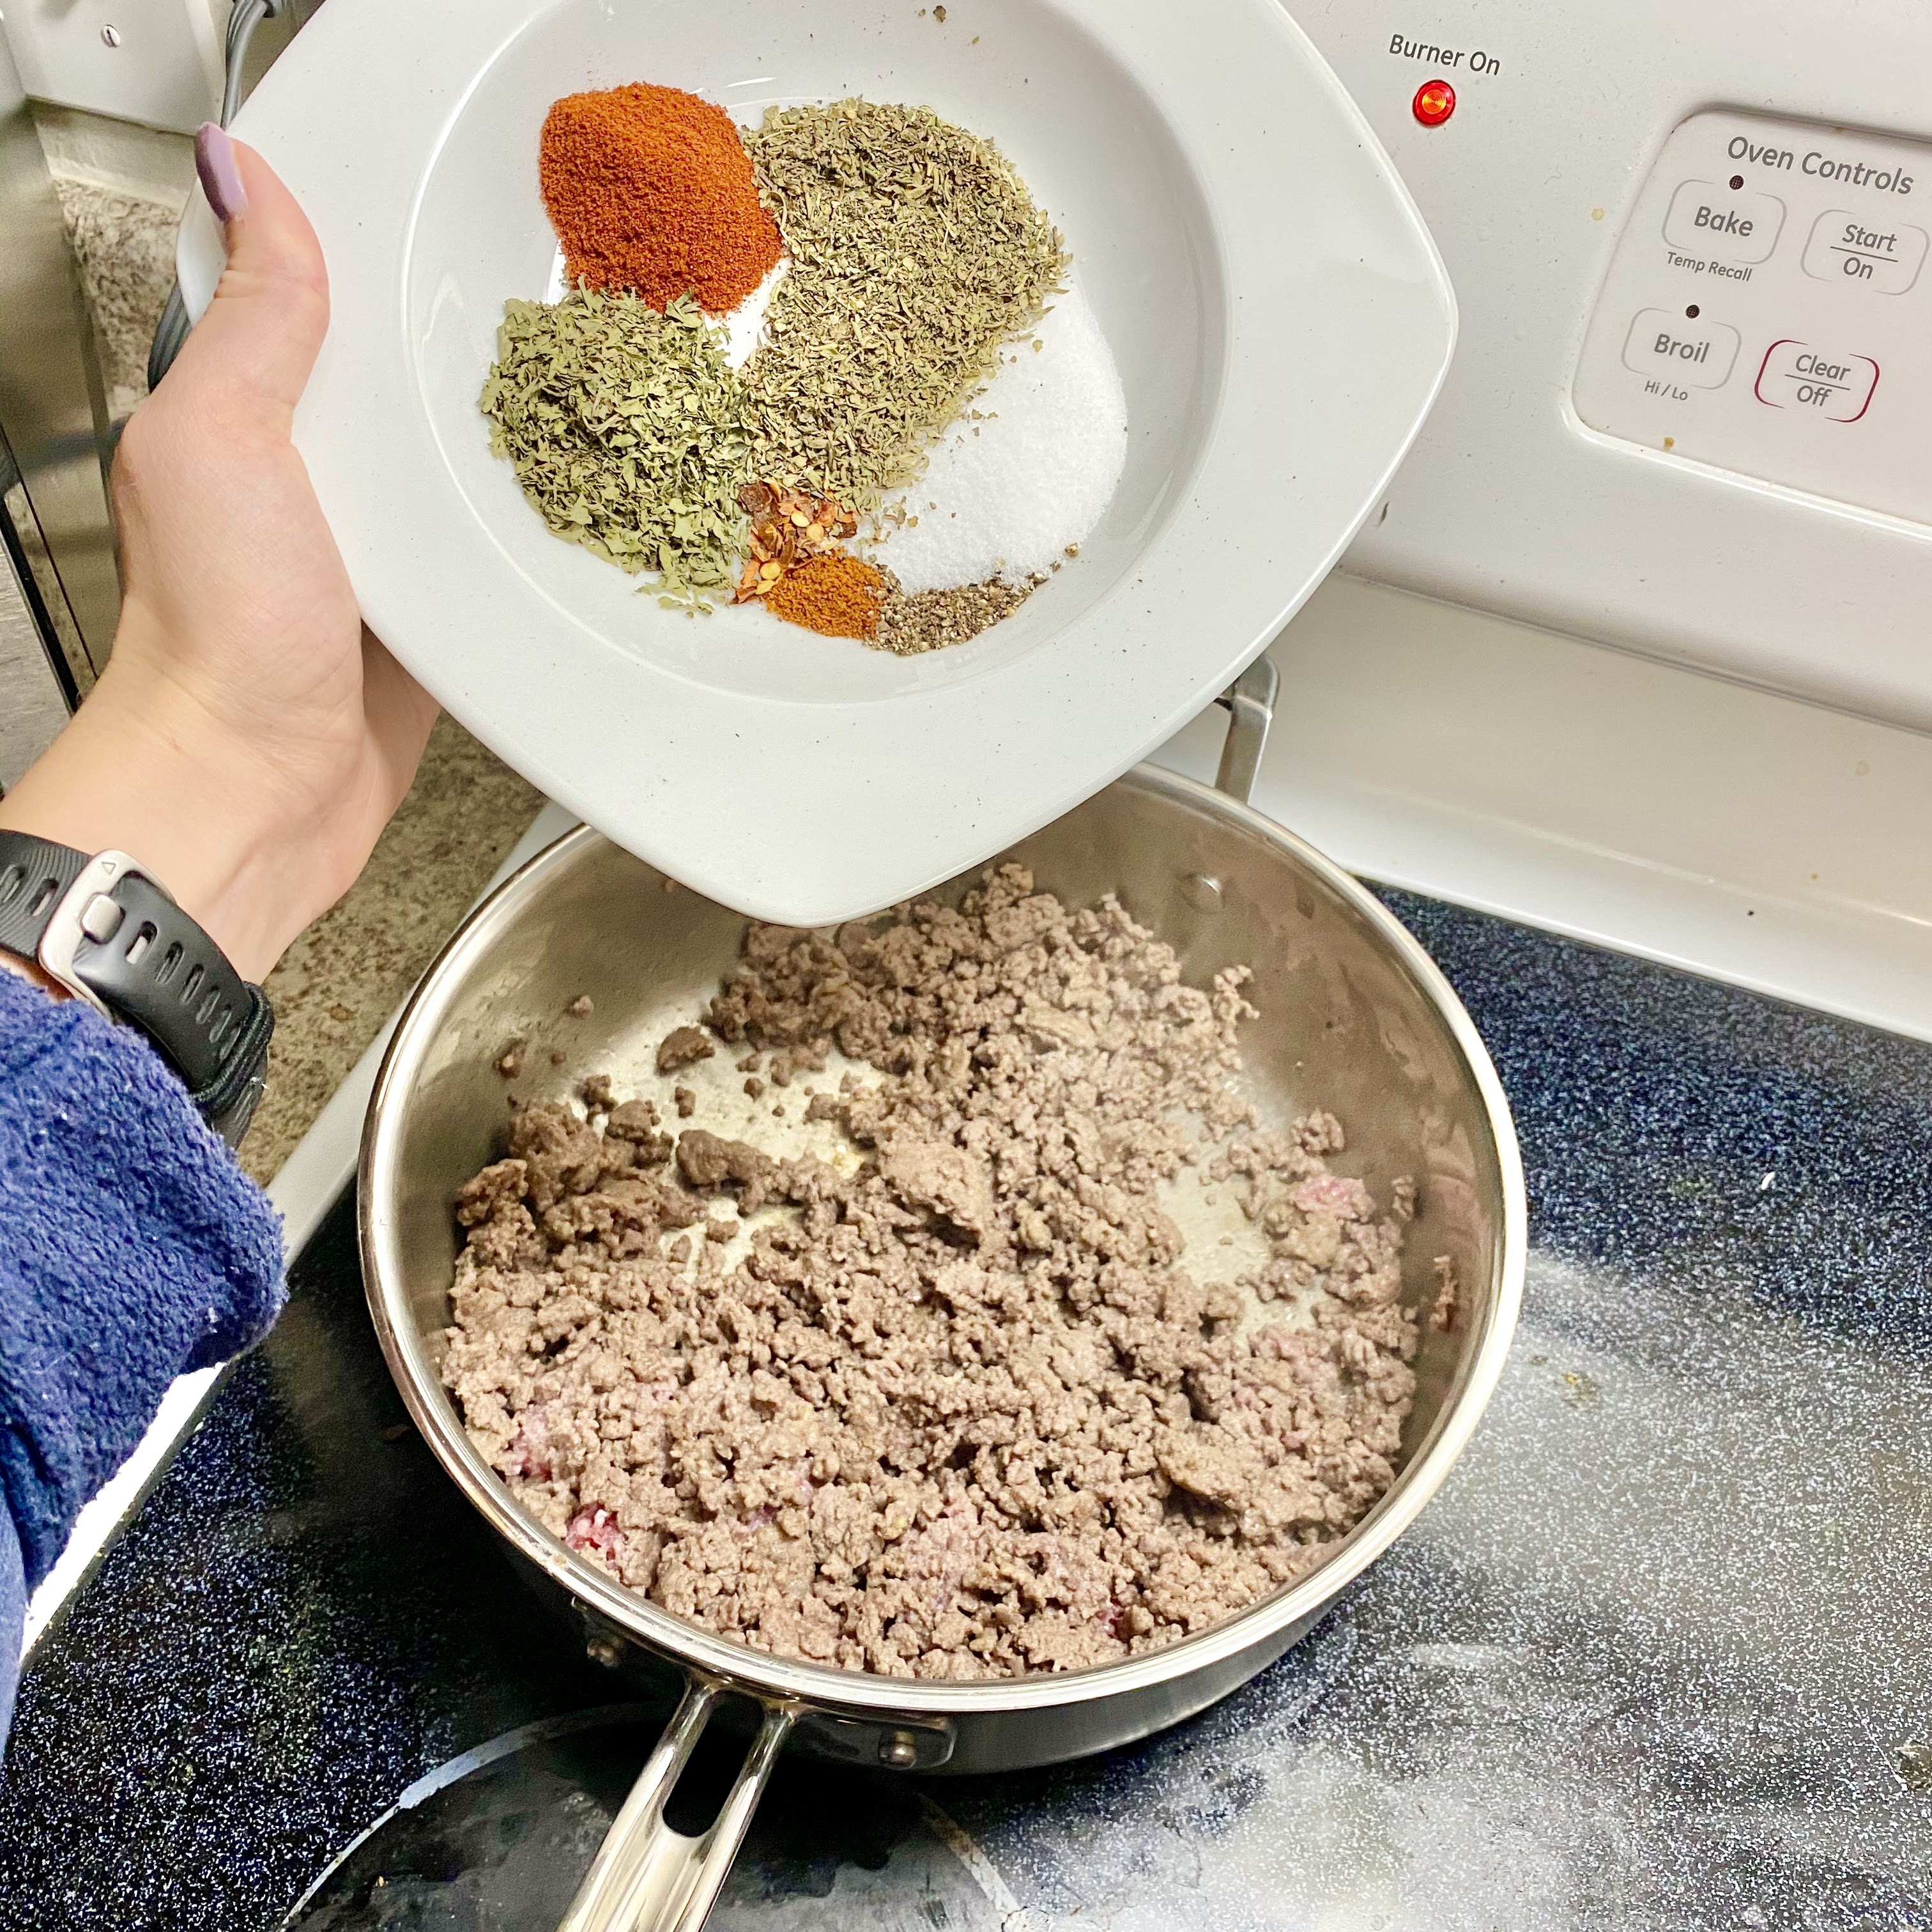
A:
652,194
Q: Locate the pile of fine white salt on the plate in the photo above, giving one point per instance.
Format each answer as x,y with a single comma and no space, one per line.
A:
1027,470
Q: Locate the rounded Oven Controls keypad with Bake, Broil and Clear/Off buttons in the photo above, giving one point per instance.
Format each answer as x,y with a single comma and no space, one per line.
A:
1769,312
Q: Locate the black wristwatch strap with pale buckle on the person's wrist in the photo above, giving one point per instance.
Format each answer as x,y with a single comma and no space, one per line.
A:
111,936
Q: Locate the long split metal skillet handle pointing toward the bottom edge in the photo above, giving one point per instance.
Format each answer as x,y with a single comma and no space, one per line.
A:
650,1879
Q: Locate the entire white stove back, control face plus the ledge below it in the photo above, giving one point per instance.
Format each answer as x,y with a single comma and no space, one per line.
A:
1641,642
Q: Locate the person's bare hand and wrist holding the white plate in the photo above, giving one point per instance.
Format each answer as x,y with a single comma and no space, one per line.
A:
250,739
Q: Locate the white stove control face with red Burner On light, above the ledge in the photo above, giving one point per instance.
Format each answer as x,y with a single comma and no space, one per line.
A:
1691,401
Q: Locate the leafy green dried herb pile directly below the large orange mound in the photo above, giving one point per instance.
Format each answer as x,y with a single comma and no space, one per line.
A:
629,432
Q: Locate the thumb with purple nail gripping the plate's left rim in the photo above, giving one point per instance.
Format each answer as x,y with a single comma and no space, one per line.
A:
271,306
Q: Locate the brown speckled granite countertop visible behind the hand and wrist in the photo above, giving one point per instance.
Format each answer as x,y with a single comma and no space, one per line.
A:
345,977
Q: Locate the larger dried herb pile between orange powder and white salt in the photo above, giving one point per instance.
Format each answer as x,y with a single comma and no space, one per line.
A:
915,254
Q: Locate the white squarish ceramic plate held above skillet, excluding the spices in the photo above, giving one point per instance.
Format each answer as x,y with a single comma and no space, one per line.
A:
1278,310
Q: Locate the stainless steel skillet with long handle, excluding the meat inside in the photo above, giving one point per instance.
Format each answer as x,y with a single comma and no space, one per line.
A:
1353,1019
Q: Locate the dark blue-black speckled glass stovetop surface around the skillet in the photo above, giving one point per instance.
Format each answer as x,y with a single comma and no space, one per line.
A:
1645,1664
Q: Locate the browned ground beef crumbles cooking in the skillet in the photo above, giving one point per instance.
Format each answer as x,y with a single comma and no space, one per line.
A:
963,1411
